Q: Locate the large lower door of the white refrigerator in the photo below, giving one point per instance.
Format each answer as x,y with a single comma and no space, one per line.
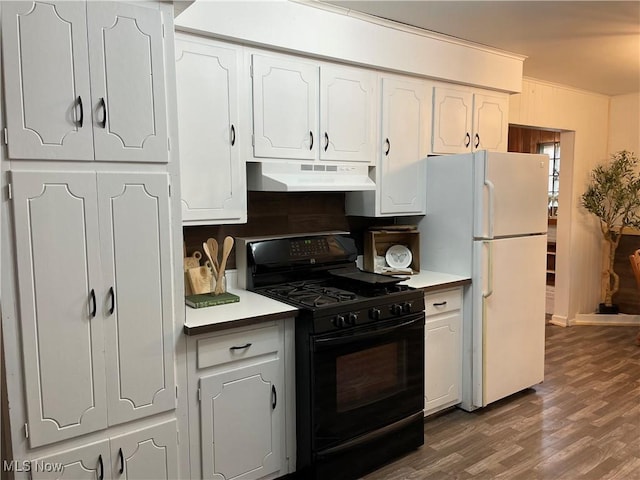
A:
509,317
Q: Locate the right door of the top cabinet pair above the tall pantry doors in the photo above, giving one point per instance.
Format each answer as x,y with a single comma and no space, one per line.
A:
127,82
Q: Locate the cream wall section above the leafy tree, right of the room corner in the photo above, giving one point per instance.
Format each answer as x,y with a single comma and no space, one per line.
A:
624,125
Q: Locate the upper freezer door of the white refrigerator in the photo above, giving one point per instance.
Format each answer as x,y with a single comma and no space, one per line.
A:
510,194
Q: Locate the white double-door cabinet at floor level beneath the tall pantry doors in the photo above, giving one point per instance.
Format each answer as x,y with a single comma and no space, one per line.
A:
148,453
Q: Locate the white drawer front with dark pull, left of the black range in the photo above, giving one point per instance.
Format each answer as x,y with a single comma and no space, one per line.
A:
231,347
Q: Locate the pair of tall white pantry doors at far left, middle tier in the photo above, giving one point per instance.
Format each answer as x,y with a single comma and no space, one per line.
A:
95,296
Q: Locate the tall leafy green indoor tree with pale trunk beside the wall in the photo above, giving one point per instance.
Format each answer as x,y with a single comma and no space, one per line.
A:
613,195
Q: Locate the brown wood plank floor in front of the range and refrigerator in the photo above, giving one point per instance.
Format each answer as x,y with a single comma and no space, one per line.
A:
582,423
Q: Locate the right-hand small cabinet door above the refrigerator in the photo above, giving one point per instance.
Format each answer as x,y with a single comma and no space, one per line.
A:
490,122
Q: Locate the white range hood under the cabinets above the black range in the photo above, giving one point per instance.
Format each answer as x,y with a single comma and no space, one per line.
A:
307,177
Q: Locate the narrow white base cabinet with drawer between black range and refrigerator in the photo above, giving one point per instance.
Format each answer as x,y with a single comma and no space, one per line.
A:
443,349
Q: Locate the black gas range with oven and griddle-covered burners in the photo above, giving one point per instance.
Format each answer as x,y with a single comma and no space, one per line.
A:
359,351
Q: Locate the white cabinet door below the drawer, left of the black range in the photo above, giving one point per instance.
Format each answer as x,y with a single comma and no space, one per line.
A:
241,436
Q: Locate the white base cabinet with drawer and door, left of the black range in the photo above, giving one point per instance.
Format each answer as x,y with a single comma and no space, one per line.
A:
243,408
